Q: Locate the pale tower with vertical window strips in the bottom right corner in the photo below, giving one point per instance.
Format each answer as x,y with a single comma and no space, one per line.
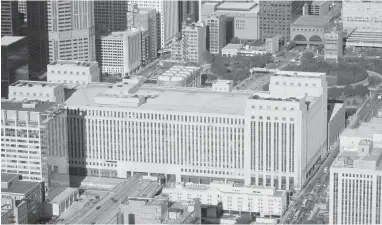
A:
355,185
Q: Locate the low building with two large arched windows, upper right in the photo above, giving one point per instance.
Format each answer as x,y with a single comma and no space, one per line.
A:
309,30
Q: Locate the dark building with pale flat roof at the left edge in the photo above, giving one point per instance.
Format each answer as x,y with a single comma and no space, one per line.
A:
14,55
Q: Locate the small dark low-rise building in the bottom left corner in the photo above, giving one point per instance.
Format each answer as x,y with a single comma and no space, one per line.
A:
21,201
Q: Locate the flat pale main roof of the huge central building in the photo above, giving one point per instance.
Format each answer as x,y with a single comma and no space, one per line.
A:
194,100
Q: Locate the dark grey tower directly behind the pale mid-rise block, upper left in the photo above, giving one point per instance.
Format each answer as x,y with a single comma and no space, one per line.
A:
110,15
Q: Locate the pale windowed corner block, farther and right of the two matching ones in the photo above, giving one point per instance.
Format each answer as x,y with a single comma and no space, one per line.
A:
73,72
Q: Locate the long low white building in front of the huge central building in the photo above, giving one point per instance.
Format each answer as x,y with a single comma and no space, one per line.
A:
232,197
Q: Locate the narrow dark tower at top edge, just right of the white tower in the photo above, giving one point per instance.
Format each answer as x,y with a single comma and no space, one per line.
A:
188,11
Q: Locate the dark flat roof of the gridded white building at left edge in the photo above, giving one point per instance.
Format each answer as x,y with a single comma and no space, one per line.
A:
30,105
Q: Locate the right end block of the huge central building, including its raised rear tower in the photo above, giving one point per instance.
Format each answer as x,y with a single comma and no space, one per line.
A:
288,138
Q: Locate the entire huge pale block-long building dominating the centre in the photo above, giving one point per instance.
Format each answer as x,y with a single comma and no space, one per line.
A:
200,133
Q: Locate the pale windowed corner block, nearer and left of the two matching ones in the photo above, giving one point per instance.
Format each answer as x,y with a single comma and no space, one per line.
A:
25,90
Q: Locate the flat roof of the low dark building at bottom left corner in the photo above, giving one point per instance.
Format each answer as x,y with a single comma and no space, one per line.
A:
17,186
